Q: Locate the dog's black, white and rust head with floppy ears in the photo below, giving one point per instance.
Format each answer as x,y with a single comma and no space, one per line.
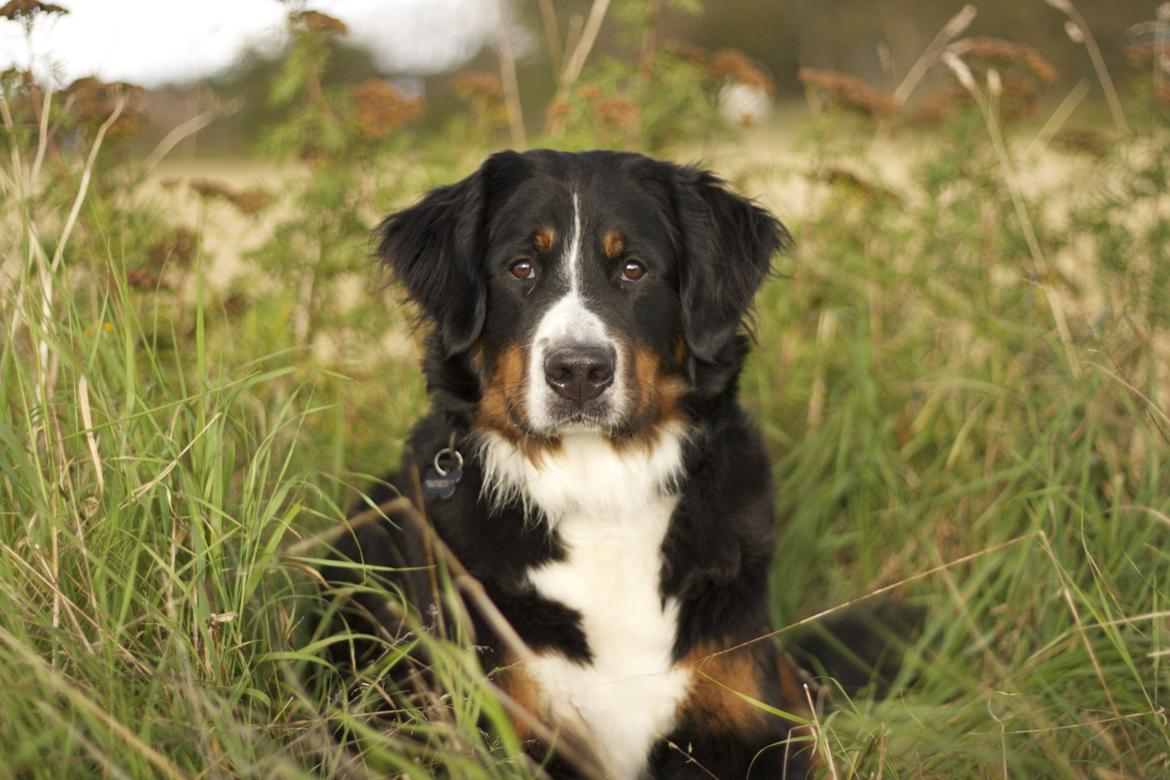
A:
587,293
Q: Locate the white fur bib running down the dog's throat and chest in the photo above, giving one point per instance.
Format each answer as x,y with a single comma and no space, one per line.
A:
611,514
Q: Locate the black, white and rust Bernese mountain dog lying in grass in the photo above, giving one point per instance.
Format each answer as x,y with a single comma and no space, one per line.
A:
586,459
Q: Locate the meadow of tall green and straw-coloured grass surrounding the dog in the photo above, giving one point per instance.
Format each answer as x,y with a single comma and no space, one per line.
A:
962,370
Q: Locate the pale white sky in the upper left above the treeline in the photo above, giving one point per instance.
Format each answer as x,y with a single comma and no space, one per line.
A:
152,43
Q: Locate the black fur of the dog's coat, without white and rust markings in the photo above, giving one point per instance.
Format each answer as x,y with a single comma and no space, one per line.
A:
708,251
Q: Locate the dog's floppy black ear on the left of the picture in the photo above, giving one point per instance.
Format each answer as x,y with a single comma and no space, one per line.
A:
436,249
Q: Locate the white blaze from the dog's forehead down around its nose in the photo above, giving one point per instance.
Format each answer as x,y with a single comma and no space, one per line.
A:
569,322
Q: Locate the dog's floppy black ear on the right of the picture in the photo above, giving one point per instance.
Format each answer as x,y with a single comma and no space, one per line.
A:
728,244
